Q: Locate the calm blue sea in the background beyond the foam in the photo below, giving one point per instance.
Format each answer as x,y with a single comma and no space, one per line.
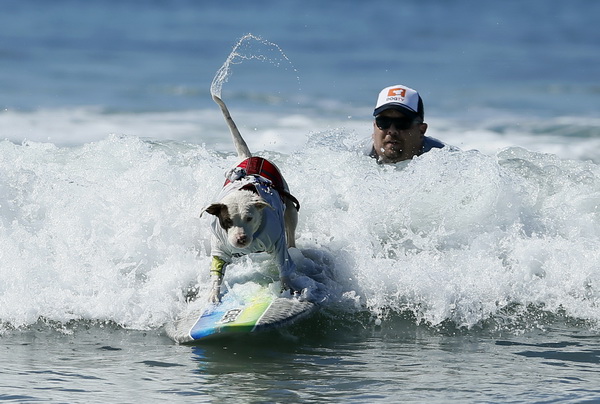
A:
124,56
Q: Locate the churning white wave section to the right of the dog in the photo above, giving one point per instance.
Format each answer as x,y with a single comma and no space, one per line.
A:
459,236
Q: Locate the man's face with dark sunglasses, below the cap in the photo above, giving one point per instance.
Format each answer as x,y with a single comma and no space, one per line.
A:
396,143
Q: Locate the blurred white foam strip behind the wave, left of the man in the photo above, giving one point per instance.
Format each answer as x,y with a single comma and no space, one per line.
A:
78,126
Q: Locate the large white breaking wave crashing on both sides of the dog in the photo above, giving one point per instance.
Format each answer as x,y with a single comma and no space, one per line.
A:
108,230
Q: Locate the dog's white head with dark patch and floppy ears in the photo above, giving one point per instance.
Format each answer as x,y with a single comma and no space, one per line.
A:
240,214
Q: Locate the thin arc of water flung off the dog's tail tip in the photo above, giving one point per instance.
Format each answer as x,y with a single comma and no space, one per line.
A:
243,50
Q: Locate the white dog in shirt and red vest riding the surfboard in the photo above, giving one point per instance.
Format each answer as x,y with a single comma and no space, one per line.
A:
255,213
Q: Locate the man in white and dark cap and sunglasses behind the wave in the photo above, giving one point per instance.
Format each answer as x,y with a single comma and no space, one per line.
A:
399,129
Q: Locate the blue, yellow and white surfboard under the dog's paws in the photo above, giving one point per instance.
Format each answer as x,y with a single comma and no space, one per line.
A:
238,315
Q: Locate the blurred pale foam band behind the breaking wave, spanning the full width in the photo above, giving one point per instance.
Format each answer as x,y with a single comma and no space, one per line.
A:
567,137
